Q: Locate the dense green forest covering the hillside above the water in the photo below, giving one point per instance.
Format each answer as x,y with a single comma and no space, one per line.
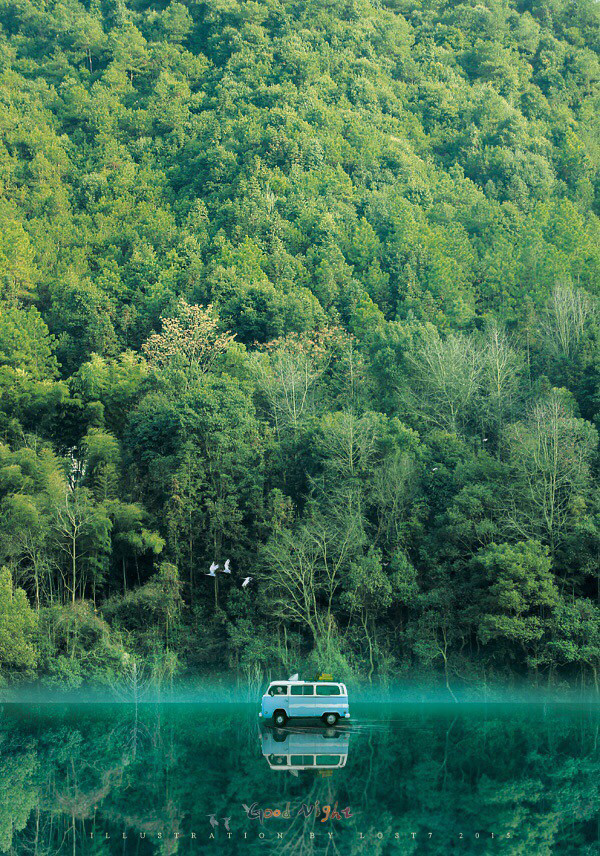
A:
313,287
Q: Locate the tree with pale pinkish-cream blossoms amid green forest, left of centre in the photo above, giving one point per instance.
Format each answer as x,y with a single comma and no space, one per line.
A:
189,343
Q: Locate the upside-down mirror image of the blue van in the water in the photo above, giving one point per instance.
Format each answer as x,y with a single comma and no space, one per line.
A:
321,749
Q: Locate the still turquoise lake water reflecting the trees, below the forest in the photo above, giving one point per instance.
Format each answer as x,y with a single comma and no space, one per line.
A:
166,779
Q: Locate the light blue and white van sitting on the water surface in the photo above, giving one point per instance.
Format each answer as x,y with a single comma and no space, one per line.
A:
326,700
